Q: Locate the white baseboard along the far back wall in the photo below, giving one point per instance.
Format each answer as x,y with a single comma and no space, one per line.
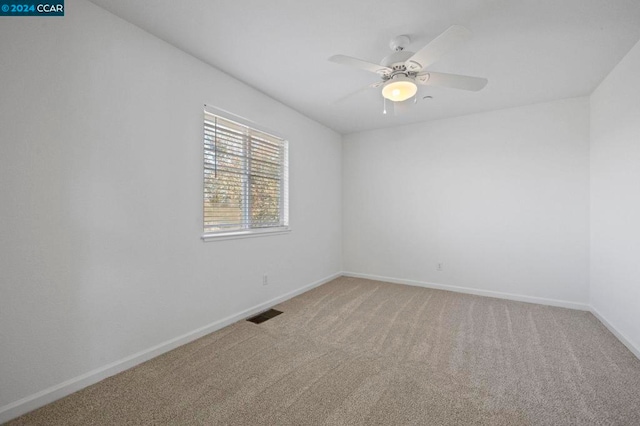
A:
477,292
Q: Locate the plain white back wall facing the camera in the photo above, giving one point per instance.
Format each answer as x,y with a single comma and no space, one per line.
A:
501,199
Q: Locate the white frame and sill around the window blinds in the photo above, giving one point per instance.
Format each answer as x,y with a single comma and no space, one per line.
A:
284,187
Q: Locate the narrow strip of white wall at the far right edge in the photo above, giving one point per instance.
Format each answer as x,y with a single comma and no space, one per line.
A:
615,199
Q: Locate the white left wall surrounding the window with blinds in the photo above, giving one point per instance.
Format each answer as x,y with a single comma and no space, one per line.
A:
101,203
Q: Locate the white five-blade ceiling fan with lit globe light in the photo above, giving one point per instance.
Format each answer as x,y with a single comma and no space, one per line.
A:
403,70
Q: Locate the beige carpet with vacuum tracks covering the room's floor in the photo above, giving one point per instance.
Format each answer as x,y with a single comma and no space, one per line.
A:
364,352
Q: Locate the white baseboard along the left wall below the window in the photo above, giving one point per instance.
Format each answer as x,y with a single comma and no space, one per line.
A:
46,396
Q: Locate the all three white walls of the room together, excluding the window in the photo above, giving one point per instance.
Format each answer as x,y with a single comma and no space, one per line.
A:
100,202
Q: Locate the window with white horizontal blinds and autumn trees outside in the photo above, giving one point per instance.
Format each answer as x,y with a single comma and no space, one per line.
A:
245,179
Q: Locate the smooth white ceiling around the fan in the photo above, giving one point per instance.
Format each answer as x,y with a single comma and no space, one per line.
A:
530,50
